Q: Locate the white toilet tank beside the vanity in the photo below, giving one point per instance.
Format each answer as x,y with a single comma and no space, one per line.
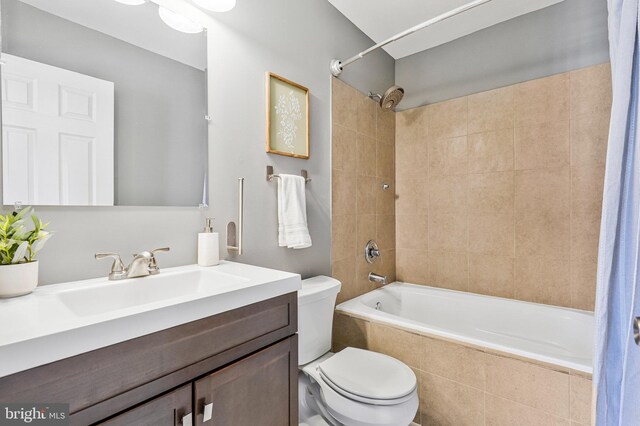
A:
316,302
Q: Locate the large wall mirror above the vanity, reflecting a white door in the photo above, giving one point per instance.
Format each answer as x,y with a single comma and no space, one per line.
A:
102,104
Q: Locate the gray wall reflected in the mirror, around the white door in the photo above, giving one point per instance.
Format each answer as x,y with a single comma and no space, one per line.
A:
160,104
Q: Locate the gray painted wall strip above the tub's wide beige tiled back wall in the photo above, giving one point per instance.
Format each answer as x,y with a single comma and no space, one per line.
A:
563,37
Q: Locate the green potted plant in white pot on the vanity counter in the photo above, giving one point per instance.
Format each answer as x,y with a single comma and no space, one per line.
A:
19,244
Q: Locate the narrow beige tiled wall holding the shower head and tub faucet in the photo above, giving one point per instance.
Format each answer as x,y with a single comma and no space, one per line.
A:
363,160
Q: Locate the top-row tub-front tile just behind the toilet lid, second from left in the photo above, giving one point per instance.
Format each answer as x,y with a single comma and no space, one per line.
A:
399,344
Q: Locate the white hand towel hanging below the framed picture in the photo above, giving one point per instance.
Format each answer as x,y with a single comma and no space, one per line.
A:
292,213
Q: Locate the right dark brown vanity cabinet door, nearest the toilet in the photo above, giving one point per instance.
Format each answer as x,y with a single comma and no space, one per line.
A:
261,389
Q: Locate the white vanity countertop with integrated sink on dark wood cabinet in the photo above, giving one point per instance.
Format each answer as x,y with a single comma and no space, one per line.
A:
62,320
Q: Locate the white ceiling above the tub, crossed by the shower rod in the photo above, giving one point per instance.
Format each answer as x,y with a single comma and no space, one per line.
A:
381,19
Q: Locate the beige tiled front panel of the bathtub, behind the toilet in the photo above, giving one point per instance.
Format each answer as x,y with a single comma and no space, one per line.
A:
461,384
